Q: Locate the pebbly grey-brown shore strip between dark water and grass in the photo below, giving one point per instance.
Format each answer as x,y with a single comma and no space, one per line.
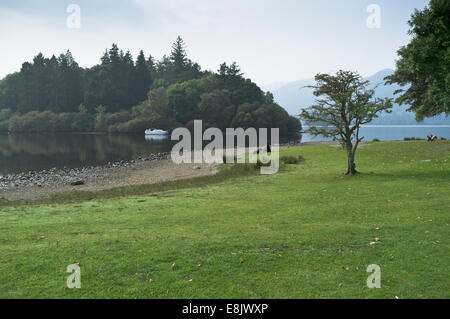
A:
152,169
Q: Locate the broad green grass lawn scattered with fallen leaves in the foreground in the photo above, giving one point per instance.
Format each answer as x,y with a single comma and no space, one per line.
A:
302,233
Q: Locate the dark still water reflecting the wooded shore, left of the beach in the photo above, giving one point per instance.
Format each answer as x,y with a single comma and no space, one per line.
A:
26,152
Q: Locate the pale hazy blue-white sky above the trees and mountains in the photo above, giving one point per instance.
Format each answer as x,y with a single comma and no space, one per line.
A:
272,40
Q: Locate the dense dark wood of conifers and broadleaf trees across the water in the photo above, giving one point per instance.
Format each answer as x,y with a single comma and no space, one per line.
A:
123,95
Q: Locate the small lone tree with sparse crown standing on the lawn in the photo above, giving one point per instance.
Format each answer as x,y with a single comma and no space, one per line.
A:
343,104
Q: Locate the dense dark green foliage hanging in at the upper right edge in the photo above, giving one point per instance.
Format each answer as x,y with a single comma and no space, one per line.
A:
424,63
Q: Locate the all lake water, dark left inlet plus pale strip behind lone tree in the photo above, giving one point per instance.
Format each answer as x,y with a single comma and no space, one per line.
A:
28,152
